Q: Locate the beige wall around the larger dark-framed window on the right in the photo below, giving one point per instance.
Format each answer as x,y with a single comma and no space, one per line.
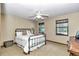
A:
50,27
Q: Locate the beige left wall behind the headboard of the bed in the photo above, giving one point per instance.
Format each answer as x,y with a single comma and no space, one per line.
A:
10,23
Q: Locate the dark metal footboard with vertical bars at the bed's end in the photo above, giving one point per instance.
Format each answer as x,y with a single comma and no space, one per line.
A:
36,42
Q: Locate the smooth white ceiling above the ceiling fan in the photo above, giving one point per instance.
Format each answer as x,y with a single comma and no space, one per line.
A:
52,9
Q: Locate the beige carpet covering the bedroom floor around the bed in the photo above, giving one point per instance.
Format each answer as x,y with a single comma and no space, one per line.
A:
50,49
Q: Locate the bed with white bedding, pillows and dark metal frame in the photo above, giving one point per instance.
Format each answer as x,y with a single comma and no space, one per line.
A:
28,41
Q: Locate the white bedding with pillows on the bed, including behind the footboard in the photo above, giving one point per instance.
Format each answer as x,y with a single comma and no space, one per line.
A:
29,41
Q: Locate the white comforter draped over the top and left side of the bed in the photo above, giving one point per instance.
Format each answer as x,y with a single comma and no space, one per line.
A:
23,41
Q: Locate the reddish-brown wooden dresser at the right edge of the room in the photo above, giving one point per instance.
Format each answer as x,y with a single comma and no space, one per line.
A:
73,45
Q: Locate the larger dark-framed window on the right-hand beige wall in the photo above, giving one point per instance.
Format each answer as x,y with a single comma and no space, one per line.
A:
62,27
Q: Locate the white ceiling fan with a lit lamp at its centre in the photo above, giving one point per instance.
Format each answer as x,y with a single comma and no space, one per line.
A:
39,16
